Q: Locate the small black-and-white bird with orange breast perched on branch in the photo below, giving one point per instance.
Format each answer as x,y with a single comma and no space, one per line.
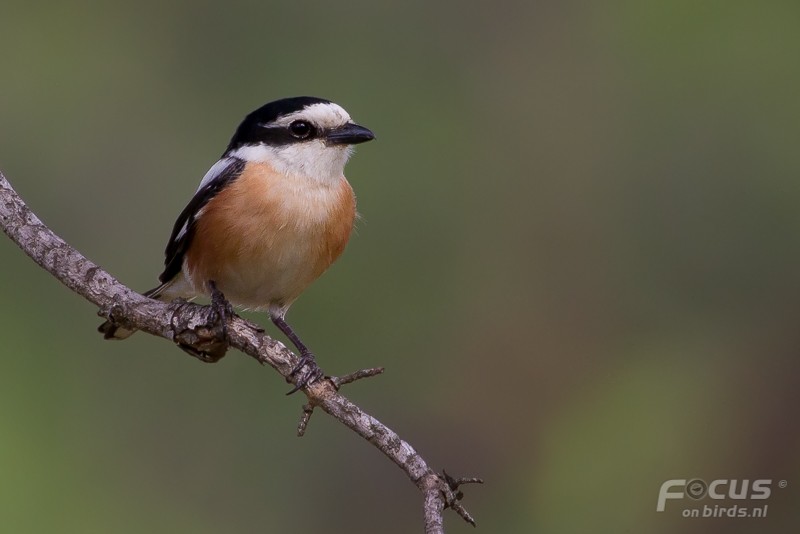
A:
268,218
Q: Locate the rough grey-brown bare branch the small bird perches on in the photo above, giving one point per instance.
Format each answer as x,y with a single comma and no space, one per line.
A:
194,326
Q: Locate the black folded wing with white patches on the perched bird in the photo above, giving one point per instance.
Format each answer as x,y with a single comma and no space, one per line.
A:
183,231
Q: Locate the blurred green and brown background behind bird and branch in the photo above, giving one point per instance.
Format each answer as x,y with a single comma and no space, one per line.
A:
578,261
